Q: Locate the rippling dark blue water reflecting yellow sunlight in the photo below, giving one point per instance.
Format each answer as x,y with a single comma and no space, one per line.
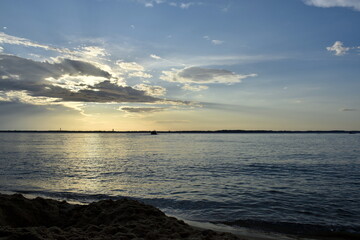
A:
306,182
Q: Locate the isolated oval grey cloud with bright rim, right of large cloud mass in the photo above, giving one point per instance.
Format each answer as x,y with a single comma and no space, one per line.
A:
200,75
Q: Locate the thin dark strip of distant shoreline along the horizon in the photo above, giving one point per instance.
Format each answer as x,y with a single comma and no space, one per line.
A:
194,131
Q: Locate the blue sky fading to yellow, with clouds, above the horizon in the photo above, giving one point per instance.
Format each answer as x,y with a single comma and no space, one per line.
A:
179,65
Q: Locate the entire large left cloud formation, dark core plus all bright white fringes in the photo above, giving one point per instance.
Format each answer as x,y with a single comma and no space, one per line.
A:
74,79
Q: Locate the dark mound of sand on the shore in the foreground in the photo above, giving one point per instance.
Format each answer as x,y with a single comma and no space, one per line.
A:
22,218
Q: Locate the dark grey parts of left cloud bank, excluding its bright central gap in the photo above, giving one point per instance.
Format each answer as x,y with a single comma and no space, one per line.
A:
20,74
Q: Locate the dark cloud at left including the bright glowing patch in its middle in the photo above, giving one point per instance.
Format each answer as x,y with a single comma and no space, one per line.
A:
64,81
